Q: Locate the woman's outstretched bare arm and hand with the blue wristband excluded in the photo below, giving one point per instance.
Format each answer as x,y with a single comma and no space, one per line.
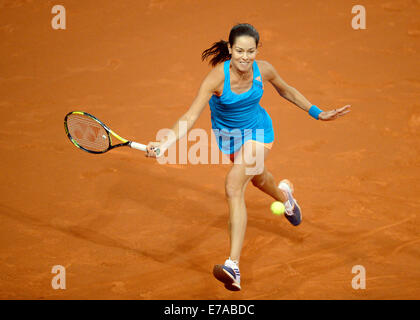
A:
294,96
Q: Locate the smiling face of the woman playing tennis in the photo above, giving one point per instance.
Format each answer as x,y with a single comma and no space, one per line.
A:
244,52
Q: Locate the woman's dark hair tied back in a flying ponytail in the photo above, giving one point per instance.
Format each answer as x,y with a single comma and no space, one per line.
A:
219,50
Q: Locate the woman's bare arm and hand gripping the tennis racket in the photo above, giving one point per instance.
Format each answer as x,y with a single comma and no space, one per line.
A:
210,85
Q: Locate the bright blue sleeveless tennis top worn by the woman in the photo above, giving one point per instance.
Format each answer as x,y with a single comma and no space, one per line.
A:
237,118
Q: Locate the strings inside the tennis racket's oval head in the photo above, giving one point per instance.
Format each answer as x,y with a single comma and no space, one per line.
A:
88,133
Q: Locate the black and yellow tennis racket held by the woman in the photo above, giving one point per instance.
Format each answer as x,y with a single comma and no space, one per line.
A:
92,135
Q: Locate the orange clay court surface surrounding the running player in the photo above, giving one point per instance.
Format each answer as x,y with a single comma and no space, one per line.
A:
126,227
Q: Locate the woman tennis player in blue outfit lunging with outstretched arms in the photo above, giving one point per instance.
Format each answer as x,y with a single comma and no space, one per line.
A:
243,130
